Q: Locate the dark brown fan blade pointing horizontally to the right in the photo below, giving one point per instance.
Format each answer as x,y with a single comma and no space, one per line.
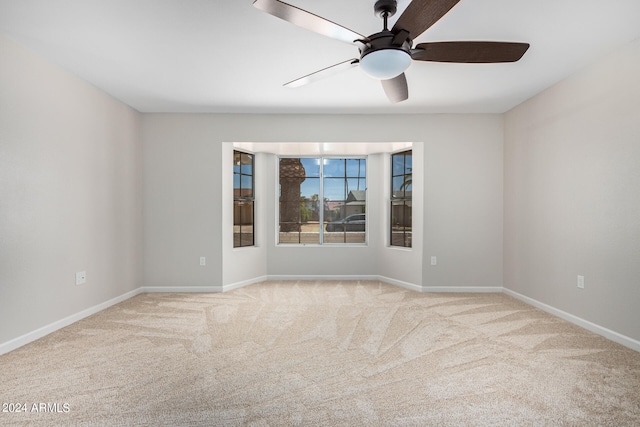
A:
469,52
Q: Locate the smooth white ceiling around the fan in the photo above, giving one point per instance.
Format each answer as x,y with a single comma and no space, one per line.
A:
227,56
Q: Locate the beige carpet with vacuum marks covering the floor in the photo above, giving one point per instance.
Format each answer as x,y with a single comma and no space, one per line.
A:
322,353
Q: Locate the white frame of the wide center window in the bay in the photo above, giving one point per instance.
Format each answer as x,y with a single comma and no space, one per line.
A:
321,191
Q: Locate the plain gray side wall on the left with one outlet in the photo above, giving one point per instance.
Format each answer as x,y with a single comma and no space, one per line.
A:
70,194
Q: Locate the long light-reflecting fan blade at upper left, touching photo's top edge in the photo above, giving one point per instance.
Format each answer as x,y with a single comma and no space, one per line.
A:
307,20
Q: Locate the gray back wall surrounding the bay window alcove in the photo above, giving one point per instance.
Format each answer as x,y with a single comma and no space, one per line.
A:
186,215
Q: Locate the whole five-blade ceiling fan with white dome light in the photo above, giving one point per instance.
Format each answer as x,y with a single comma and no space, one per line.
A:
387,54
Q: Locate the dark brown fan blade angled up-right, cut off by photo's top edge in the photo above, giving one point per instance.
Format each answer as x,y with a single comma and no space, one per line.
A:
421,15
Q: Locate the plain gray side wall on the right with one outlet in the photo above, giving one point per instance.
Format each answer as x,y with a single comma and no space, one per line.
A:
572,194
